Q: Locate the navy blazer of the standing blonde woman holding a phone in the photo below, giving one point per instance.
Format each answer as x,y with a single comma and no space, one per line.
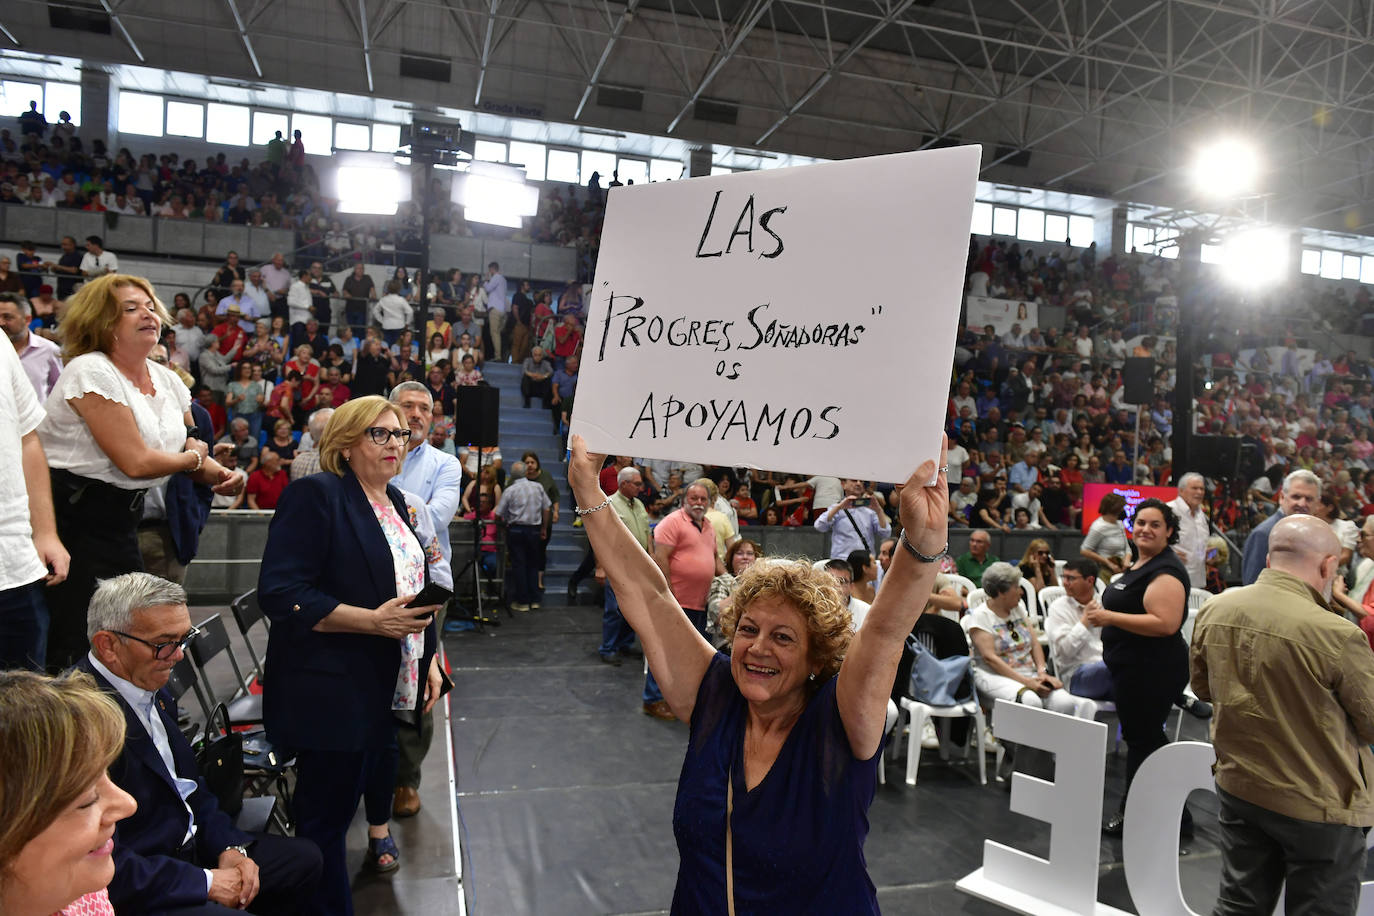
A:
329,691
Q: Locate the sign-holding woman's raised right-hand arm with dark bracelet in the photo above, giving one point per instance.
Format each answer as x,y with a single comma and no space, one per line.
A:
870,668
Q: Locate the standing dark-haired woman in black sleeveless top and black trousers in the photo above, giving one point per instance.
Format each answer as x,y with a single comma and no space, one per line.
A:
1142,616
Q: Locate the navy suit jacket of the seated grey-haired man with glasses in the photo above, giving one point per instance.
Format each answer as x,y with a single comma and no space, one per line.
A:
148,875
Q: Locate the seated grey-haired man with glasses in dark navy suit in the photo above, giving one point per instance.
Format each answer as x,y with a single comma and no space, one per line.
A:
179,854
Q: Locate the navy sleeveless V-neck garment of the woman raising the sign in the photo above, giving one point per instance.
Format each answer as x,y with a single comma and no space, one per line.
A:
798,837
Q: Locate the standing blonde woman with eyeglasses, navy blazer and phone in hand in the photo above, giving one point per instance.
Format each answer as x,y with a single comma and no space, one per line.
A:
348,654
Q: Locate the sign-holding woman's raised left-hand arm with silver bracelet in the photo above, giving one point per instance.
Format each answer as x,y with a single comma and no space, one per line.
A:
677,653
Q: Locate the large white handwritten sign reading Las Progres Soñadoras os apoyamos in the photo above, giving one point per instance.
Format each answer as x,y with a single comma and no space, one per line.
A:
793,319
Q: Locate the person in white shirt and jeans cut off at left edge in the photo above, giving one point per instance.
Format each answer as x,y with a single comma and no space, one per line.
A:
28,527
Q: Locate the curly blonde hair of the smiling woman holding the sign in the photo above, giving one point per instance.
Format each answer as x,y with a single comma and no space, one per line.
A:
813,593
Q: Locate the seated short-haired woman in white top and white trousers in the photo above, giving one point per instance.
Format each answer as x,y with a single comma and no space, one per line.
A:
1008,660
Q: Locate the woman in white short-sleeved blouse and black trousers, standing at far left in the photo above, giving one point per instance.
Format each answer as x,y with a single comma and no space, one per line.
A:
117,426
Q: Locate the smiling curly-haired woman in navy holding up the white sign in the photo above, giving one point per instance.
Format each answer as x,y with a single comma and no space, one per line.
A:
787,730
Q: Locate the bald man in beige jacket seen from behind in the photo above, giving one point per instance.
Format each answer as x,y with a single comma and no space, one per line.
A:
1294,686
